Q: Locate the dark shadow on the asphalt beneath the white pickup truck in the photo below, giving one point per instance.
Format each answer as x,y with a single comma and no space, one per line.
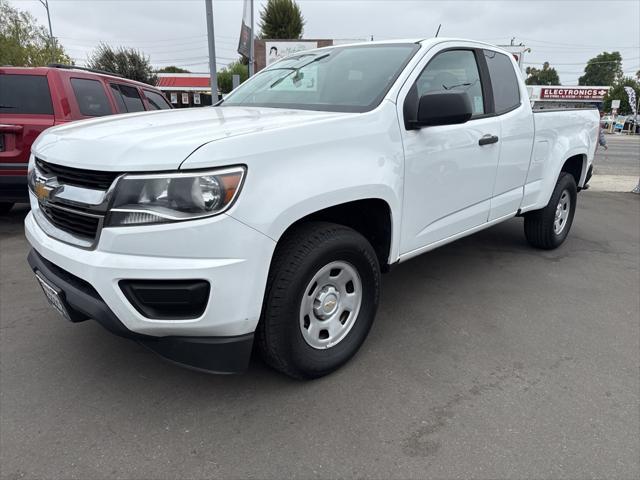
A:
409,291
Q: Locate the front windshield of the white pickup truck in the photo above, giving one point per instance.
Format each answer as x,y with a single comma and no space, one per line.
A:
342,79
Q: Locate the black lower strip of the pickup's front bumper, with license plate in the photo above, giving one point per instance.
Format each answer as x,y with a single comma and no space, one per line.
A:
215,354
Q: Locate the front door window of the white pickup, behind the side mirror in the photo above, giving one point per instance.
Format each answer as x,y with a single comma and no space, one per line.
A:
453,70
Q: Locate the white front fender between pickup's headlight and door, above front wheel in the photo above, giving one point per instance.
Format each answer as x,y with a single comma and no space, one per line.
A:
296,171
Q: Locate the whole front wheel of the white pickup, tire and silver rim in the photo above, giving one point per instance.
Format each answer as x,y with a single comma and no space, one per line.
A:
321,300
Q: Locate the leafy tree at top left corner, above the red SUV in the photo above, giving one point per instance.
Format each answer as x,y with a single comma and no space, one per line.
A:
24,43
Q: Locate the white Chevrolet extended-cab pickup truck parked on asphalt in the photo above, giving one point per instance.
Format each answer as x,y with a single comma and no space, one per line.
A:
271,215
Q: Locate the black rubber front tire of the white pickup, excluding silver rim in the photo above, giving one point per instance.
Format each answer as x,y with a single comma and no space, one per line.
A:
297,259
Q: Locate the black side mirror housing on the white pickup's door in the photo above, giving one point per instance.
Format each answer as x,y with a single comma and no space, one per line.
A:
442,108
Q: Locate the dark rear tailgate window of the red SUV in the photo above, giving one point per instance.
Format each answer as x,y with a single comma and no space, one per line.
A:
25,94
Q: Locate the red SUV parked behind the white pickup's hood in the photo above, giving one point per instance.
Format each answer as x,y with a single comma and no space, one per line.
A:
33,99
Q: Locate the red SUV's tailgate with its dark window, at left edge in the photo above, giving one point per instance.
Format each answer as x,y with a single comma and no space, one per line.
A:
25,111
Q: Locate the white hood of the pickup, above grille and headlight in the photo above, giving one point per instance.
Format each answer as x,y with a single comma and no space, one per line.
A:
158,140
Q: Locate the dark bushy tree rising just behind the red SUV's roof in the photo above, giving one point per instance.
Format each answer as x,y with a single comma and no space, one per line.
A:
128,62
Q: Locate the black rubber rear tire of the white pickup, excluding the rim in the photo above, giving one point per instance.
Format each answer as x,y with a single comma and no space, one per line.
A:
539,224
